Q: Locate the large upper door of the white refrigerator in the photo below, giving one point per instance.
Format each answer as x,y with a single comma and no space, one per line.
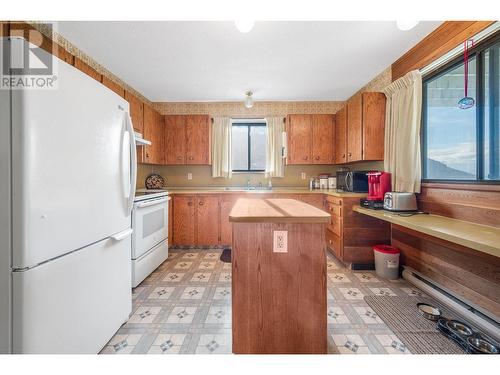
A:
71,167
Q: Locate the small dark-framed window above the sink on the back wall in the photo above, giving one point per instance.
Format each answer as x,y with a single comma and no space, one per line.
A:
248,147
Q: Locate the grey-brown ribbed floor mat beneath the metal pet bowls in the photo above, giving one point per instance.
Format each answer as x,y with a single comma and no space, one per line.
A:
419,334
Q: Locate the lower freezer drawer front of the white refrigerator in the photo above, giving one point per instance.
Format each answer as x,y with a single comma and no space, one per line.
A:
73,304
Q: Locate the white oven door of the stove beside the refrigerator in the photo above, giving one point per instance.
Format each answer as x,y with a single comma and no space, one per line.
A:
150,224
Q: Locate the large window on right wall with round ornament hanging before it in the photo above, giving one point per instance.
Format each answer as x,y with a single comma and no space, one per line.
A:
463,144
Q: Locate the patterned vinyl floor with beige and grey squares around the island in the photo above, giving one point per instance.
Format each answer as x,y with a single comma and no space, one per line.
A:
184,306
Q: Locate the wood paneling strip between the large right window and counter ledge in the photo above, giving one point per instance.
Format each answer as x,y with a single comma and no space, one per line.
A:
476,203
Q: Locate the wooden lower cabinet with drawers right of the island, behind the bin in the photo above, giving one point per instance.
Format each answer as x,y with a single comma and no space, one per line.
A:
350,236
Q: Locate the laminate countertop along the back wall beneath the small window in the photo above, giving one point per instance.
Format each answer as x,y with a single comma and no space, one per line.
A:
284,190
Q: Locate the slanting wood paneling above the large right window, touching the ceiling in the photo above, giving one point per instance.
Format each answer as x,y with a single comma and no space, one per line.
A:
442,40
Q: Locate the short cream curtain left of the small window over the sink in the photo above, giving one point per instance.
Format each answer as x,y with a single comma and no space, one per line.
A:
221,147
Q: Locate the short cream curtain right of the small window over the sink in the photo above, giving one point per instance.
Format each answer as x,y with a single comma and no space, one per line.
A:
274,146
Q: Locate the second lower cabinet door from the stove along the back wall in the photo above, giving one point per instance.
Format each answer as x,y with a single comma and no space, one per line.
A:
207,220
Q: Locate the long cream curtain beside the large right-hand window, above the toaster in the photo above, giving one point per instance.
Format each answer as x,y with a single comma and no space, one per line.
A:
402,132
